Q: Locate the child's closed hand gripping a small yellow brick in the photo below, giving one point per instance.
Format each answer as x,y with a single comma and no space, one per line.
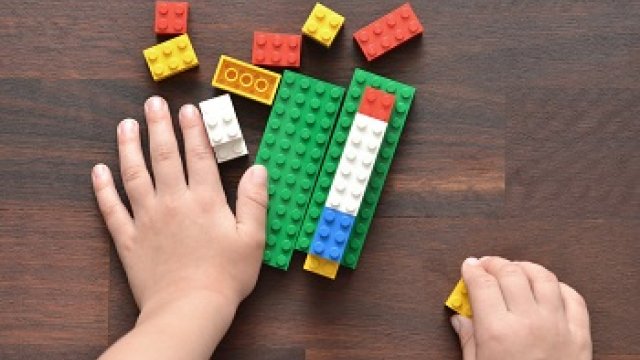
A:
521,312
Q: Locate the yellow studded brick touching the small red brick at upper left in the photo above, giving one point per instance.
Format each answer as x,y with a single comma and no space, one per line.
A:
170,57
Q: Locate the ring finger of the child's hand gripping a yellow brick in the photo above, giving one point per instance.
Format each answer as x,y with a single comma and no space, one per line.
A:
545,285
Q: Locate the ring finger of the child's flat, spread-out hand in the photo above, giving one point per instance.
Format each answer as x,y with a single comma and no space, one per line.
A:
133,169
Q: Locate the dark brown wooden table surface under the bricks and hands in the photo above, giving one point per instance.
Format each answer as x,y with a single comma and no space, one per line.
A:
523,141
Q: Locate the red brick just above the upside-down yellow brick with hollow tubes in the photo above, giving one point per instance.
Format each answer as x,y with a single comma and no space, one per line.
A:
278,50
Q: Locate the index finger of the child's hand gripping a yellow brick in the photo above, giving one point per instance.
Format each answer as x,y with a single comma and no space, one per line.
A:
484,292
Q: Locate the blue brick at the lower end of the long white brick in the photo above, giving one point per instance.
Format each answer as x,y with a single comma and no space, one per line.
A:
332,234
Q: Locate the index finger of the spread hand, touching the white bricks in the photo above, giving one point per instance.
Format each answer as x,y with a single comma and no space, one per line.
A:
202,171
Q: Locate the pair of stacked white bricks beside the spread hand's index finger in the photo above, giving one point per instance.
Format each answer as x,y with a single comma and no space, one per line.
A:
223,129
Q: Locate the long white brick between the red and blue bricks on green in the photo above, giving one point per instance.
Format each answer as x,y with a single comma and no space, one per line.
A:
356,164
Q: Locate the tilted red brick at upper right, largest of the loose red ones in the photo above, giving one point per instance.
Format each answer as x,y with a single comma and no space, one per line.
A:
388,32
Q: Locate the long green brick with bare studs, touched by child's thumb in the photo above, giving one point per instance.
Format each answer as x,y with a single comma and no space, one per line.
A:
292,150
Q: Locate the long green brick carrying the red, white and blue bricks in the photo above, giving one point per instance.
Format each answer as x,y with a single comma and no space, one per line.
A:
404,97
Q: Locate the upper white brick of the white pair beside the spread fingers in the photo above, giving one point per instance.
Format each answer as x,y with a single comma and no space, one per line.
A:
220,120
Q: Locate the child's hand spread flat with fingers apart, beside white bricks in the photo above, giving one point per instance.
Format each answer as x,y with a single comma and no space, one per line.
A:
183,250
